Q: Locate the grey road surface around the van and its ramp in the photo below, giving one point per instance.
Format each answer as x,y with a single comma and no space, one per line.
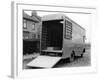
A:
78,62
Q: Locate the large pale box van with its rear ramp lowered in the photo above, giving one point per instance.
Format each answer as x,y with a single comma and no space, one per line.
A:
61,38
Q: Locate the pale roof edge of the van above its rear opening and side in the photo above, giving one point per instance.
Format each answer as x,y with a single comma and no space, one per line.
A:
57,17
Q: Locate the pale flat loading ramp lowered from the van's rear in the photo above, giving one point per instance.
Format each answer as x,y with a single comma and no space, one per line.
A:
44,61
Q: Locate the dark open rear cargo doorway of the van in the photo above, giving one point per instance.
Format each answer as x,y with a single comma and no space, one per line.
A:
52,37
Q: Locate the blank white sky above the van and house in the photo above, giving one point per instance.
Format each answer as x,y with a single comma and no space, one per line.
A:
81,19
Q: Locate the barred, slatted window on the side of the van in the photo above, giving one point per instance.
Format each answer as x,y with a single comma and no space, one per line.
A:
68,30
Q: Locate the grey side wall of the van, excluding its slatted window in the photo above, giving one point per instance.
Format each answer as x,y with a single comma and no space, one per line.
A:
75,43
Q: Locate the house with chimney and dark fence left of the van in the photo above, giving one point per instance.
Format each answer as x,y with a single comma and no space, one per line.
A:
31,32
